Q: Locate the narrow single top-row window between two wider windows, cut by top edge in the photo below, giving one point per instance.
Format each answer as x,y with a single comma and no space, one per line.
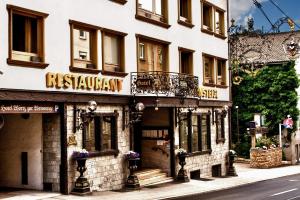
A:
185,13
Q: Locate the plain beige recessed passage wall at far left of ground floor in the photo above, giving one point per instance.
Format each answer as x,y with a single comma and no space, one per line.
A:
21,151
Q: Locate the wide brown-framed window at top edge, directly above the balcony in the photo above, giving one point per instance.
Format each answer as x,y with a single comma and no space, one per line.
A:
153,11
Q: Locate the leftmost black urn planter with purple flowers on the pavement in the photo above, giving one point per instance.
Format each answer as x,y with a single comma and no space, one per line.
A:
82,185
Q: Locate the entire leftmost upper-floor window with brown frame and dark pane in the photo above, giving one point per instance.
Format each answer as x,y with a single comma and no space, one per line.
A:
26,37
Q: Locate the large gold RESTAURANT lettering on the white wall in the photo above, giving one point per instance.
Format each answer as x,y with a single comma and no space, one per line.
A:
80,82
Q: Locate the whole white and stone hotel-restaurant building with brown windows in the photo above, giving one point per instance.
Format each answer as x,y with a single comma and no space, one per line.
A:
169,55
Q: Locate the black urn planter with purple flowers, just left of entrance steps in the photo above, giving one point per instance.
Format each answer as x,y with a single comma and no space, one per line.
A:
132,181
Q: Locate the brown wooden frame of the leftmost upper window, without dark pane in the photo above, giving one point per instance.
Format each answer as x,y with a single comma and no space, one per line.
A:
40,17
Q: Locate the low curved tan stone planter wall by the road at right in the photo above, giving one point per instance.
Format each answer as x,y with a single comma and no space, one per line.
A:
260,158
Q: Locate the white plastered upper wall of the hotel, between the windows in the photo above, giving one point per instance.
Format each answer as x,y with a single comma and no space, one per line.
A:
105,13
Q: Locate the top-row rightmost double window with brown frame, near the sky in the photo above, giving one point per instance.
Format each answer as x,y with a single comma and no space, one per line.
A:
213,19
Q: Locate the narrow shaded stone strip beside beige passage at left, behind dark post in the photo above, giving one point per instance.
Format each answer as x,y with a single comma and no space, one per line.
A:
51,152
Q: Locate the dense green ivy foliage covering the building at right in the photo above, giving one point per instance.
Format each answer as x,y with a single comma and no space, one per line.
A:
271,92
